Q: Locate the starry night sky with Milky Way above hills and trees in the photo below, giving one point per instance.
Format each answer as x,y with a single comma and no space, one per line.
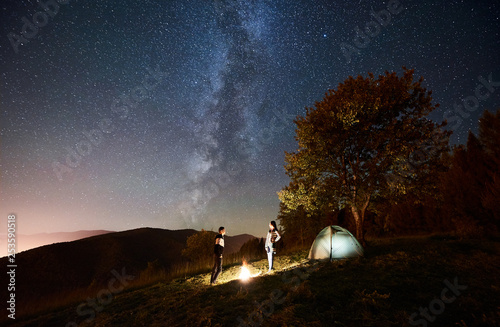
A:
176,114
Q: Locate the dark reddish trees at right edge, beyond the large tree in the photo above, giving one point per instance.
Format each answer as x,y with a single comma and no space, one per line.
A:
466,194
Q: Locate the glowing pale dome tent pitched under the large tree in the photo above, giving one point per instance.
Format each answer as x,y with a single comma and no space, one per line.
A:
335,242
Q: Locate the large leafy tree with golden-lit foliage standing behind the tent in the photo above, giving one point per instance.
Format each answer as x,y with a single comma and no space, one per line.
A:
349,143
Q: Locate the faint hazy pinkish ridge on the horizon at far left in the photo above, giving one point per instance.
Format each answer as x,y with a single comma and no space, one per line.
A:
27,242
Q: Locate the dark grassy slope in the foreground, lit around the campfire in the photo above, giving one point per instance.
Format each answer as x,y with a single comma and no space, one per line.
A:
438,281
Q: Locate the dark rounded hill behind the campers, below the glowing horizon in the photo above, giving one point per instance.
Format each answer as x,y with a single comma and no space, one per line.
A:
63,267
